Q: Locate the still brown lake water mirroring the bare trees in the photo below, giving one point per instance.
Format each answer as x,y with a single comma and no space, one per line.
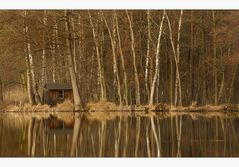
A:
126,134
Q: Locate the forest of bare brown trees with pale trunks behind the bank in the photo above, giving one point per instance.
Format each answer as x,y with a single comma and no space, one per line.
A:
123,56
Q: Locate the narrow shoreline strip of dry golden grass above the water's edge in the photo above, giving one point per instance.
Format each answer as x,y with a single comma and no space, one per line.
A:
109,108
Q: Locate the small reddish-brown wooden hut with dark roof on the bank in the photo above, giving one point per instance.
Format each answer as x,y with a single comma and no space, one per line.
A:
57,93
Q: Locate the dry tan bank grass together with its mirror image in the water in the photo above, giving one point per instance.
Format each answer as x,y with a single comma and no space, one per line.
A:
104,110
